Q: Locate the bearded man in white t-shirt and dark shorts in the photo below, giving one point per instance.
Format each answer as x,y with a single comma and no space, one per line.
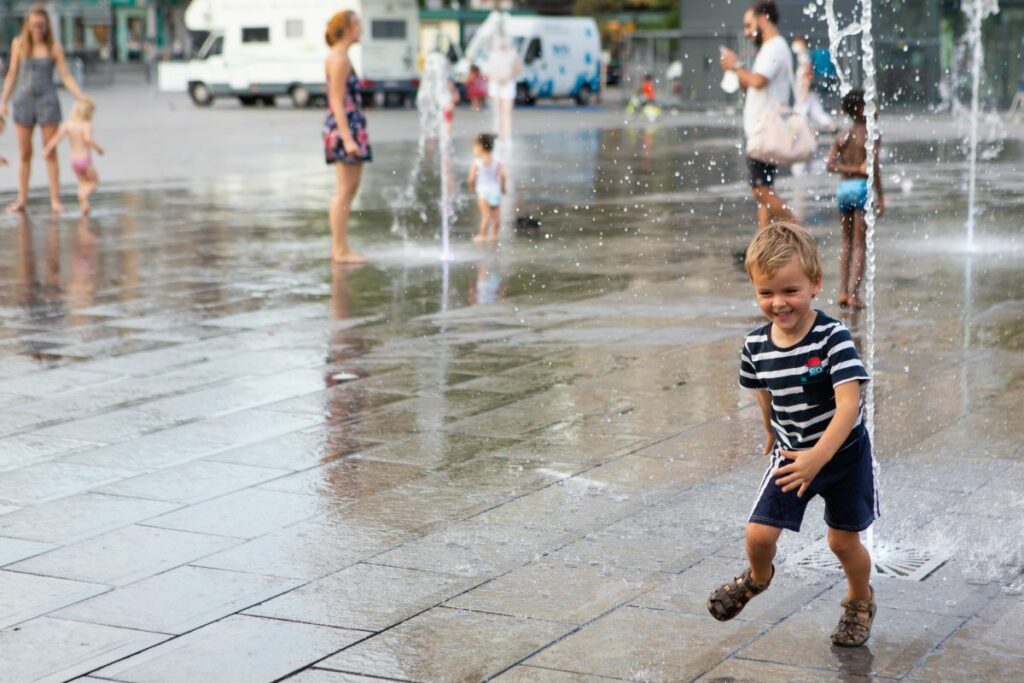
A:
769,83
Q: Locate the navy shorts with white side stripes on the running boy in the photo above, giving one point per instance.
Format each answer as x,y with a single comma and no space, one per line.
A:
846,484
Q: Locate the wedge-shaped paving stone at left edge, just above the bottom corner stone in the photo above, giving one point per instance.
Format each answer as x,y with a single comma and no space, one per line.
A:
25,596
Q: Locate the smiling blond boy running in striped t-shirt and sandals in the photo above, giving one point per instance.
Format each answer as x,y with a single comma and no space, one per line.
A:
807,376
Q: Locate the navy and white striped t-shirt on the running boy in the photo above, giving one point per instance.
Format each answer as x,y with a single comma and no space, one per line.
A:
802,378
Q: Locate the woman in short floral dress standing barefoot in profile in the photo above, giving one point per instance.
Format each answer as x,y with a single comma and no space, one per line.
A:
346,140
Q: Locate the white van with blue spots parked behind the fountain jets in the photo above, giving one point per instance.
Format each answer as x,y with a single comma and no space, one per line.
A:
561,56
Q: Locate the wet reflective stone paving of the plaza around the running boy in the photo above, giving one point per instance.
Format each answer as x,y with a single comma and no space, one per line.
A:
534,461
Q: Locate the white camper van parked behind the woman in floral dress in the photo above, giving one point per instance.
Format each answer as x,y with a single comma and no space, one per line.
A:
260,50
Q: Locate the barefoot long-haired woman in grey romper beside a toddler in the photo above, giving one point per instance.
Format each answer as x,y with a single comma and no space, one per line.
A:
34,56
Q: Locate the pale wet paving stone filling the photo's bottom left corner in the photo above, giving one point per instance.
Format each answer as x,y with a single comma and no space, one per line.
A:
72,649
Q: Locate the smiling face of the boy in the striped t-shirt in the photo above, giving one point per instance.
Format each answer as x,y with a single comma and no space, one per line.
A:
786,300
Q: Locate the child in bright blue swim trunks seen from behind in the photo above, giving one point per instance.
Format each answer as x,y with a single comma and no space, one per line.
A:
848,157
